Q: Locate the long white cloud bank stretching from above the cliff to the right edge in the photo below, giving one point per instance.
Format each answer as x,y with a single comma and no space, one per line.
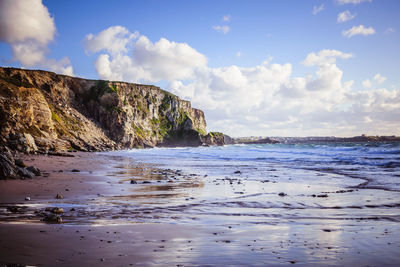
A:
266,99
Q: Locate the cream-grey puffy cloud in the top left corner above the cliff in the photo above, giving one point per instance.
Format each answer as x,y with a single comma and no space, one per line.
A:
28,27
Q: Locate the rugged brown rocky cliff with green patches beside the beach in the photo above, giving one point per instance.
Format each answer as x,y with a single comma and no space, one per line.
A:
42,110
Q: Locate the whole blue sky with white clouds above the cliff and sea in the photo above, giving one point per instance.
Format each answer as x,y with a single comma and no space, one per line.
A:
262,68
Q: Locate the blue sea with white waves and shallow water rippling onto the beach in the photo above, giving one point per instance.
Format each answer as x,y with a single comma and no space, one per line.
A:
274,183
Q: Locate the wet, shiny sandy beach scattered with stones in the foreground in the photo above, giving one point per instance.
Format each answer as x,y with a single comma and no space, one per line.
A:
158,219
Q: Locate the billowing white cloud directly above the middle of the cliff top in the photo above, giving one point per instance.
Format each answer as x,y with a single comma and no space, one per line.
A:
130,57
